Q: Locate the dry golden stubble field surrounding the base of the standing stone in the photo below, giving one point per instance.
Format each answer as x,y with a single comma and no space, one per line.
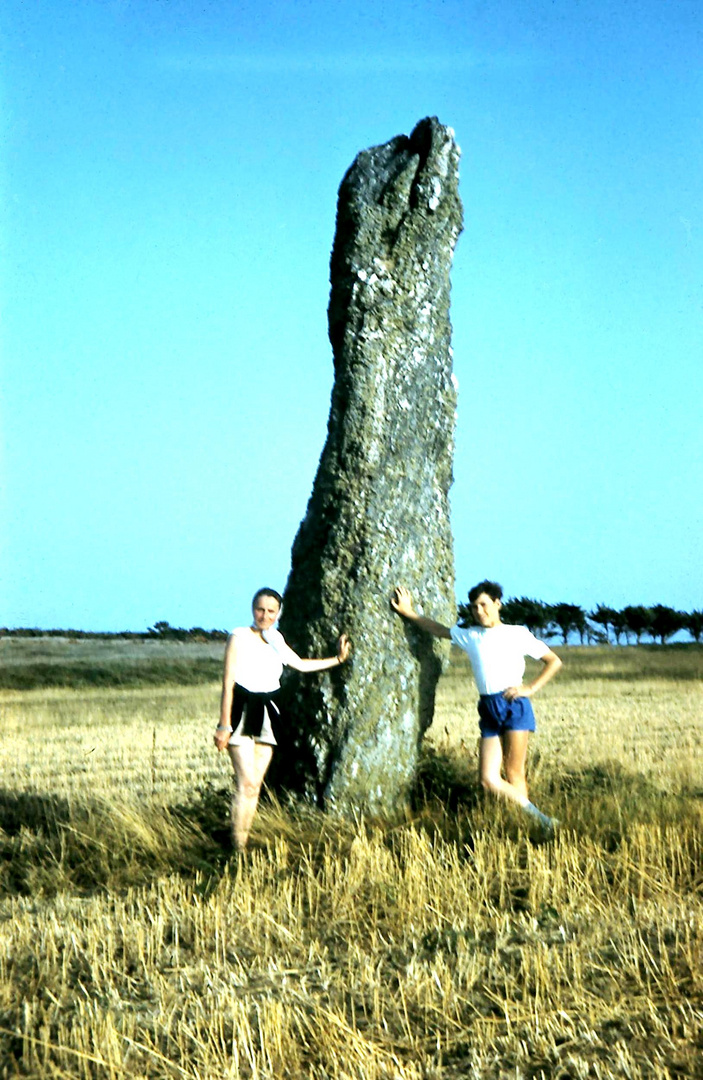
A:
451,944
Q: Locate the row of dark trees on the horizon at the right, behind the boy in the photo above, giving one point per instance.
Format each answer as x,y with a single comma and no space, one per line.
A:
605,626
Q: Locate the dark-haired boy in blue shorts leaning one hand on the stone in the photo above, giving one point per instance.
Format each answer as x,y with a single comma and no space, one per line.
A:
497,653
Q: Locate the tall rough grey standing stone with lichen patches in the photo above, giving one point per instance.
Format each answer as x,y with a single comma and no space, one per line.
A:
378,515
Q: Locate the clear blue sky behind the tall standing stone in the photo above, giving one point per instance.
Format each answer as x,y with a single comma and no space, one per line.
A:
170,173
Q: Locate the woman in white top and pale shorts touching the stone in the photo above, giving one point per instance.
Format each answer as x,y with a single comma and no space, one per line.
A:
254,660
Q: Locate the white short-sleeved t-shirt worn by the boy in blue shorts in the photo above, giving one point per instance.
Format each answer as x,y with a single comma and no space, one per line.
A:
497,654
